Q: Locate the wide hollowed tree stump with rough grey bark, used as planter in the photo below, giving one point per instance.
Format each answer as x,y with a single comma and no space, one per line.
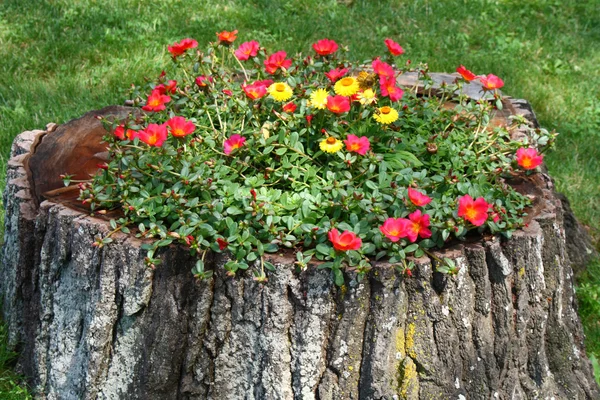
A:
95,323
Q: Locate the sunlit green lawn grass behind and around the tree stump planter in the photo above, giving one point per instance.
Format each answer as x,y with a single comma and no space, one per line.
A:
61,58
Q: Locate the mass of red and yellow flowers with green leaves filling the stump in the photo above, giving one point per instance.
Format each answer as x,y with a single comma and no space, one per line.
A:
249,151
